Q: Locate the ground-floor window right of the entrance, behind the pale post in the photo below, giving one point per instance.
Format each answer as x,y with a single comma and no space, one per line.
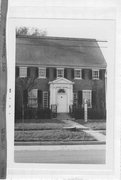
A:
87,95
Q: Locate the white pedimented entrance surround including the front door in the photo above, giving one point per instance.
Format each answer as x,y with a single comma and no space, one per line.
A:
61,94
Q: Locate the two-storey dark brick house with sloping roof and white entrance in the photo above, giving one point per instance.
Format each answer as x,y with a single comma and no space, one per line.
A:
60,72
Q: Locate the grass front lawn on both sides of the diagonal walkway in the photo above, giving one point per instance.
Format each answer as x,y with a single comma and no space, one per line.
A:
52,130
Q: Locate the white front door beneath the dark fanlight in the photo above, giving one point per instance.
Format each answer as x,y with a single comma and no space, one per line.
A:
62,105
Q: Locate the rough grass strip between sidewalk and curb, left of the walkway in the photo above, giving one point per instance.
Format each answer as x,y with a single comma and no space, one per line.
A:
53,135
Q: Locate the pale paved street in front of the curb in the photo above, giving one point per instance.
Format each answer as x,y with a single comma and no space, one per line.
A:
80,154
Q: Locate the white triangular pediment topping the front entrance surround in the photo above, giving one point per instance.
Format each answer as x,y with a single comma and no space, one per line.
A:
61,81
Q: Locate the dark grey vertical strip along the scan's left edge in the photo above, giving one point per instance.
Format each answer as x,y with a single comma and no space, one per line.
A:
3,88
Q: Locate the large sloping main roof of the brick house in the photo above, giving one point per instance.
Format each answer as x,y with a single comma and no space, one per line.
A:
53,51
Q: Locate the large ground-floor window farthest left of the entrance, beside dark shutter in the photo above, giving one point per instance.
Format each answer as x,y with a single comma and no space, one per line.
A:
32,98
